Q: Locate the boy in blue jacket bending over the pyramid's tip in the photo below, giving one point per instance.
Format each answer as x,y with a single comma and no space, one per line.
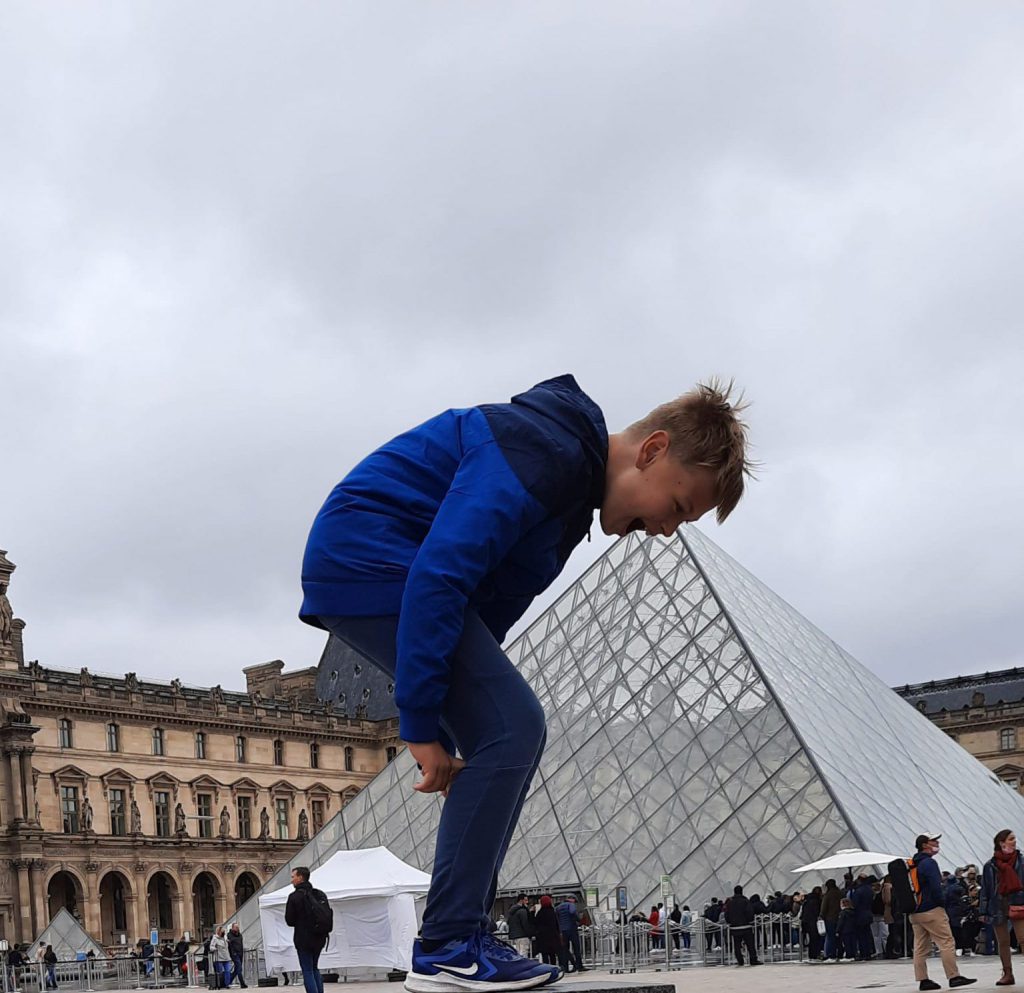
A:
432,549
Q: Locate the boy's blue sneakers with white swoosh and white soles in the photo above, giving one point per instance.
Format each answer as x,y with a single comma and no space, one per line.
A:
479,963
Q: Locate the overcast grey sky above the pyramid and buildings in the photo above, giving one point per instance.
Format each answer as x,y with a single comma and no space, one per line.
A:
244,244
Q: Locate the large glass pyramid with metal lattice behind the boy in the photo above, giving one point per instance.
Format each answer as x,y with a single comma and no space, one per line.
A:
699,727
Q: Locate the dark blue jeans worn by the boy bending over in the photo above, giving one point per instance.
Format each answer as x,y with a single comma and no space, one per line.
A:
497,723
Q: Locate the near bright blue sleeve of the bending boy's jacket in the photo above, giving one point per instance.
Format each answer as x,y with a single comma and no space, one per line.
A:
483,515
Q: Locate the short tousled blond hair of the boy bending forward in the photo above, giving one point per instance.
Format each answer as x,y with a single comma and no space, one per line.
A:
705,429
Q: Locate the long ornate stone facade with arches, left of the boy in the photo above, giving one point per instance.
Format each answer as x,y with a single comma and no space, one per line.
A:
139,804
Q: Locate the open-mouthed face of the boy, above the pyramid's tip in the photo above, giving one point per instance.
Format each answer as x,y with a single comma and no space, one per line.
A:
654,492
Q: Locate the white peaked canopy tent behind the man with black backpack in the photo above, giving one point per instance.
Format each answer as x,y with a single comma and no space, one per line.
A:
378,904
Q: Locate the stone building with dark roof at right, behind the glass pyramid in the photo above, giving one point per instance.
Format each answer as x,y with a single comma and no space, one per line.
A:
984,713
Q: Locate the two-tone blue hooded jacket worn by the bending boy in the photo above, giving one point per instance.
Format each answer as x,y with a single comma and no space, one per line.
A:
477,508
